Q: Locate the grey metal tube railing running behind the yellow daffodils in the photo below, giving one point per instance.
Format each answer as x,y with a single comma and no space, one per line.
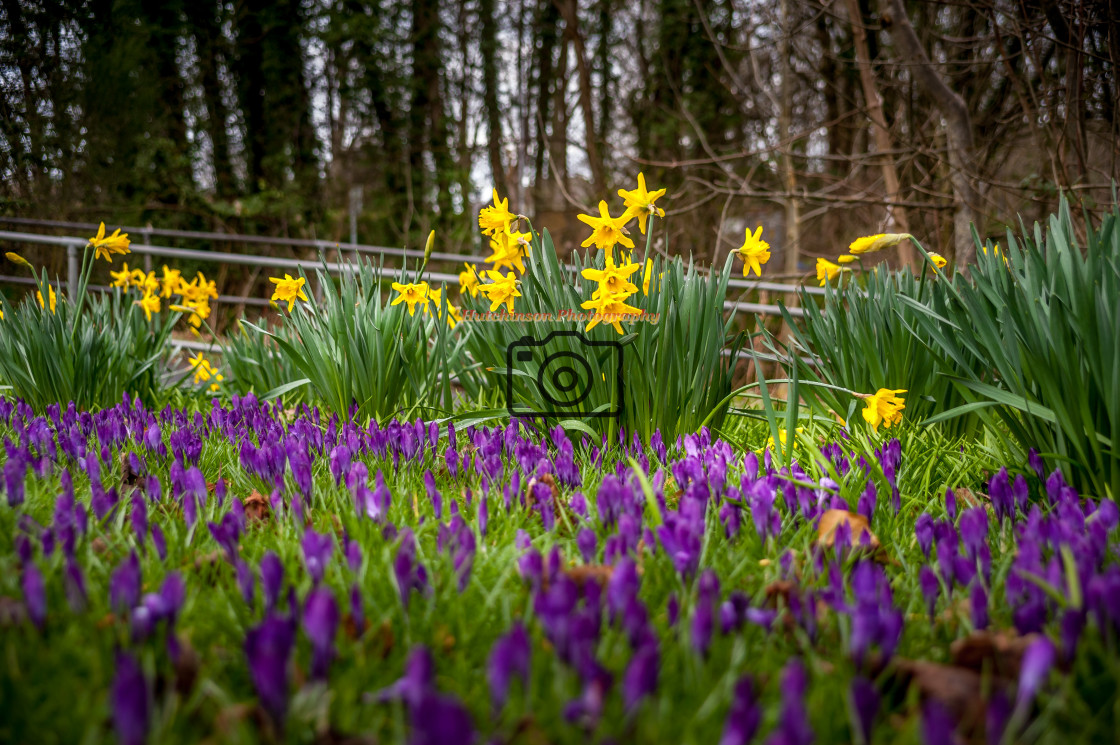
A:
76,245
